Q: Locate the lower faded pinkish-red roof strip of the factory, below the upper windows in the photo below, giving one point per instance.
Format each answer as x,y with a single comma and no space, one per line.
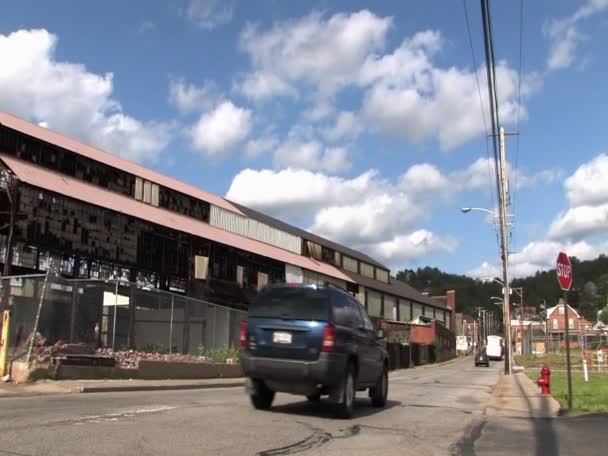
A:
43,178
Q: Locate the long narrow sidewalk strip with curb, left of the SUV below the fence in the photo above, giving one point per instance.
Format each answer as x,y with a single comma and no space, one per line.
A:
112,386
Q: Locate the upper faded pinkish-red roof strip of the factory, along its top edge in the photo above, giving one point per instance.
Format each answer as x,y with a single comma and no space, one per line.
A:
51,137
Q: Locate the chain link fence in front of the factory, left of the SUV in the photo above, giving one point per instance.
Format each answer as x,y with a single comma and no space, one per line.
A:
47,310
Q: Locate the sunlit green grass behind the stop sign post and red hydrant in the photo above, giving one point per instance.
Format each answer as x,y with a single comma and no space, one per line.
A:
591,397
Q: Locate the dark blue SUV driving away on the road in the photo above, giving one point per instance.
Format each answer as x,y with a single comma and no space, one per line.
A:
313,341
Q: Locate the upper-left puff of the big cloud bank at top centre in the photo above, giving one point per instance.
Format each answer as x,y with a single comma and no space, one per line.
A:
324,52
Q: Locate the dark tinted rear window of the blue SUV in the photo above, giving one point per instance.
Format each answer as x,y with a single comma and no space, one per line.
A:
291,304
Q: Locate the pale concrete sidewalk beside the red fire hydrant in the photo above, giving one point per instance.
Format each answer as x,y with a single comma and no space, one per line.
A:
516,396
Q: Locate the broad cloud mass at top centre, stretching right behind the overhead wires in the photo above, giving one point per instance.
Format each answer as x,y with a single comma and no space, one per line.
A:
404,93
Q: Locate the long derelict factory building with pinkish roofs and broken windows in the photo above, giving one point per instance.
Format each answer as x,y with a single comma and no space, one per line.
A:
98,216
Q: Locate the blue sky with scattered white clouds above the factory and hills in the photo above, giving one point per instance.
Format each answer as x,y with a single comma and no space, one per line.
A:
358,120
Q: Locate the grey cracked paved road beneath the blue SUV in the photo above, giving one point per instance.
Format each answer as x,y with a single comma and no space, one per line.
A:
429,410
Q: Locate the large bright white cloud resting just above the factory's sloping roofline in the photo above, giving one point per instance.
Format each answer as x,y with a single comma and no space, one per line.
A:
364,212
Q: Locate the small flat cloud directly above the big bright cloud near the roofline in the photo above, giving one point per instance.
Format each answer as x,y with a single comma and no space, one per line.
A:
311,155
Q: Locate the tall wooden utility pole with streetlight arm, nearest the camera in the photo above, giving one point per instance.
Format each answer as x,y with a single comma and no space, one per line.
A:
505,252
